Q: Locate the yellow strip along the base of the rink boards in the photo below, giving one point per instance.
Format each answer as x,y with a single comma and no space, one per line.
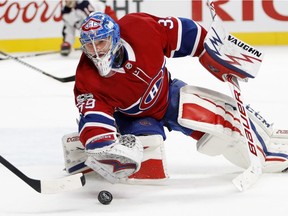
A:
47,44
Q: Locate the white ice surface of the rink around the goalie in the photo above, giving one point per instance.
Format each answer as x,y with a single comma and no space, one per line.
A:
36,111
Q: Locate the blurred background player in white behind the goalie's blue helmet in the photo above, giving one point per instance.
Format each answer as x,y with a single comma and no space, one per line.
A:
73,14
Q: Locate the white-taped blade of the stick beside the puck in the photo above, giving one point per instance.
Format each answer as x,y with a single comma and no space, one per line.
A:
63,184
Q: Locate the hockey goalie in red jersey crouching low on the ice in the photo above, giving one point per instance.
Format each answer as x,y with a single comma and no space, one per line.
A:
126,96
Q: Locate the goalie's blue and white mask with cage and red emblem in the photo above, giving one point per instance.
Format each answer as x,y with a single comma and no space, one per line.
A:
100,27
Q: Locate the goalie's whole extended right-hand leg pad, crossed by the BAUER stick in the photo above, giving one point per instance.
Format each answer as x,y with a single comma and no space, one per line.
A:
215,114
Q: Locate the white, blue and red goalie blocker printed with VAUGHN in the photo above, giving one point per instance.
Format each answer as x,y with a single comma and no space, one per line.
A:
225,54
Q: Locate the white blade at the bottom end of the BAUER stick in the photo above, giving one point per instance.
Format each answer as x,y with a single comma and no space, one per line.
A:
246,179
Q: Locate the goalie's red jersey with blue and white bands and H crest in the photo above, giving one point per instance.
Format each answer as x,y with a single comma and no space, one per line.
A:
140,88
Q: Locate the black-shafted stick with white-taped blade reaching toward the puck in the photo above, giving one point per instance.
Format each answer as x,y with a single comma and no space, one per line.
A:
67,183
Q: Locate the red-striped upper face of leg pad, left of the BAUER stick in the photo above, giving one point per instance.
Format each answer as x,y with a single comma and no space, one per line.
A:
209,111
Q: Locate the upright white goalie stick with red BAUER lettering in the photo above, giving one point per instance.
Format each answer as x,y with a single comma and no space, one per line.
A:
254,171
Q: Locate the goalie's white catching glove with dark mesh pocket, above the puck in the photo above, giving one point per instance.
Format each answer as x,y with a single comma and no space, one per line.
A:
118,160
